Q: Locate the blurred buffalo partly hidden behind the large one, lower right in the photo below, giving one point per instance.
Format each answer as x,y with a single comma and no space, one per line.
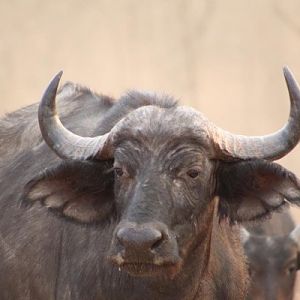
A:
272,248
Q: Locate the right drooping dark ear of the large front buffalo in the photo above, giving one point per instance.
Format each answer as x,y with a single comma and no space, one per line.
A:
252,189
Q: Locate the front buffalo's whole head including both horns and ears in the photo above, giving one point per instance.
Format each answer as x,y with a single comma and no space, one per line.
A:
155,174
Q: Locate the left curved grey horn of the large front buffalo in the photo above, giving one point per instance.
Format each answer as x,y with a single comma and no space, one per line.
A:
62,141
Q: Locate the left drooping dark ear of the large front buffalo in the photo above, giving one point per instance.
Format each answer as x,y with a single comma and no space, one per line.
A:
82,191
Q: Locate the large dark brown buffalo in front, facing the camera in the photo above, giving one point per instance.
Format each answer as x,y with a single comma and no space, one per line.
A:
132,199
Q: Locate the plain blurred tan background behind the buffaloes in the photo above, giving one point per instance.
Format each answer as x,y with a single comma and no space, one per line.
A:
222,57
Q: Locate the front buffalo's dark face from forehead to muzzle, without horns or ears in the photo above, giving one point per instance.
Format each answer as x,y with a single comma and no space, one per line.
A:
160,188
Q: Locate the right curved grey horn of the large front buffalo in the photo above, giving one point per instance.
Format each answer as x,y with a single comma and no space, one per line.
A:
271,147
